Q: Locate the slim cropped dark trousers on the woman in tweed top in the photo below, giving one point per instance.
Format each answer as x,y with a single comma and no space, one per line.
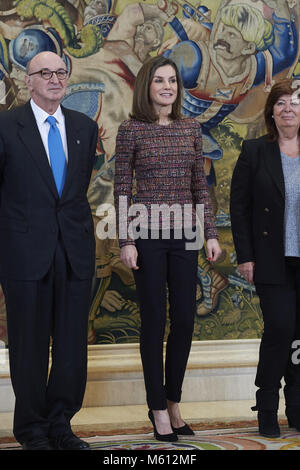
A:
162,264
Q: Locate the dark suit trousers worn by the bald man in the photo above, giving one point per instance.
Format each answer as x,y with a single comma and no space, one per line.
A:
56,306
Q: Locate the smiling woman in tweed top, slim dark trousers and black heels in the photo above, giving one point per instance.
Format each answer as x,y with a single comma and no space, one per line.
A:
163,152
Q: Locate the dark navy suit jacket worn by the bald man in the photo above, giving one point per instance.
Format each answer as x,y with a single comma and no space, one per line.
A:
31,213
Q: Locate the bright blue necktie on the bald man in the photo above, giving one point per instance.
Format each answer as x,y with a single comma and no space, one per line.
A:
56,154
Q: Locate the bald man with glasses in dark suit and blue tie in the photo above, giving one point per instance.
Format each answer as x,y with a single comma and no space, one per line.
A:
47,255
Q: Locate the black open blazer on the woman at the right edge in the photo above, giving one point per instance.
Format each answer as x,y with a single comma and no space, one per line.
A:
257,204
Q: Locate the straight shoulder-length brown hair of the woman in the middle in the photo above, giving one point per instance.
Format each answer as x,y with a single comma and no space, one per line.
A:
142,108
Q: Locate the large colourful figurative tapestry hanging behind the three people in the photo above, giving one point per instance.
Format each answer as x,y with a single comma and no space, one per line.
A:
229,53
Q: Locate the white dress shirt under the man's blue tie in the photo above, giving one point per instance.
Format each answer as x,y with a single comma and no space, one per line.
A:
44,126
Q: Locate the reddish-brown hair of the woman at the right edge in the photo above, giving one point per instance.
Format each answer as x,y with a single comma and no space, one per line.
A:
284,87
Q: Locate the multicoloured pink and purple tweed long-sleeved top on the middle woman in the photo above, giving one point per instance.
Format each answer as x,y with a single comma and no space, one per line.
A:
162,165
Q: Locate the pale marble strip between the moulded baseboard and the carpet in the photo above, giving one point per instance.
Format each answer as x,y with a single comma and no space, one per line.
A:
116,418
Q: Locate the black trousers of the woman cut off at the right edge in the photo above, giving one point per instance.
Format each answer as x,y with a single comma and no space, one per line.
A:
280,305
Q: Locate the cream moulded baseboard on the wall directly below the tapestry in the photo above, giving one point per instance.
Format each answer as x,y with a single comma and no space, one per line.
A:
217,371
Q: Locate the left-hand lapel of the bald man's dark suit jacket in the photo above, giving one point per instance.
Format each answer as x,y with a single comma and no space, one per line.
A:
30,135
